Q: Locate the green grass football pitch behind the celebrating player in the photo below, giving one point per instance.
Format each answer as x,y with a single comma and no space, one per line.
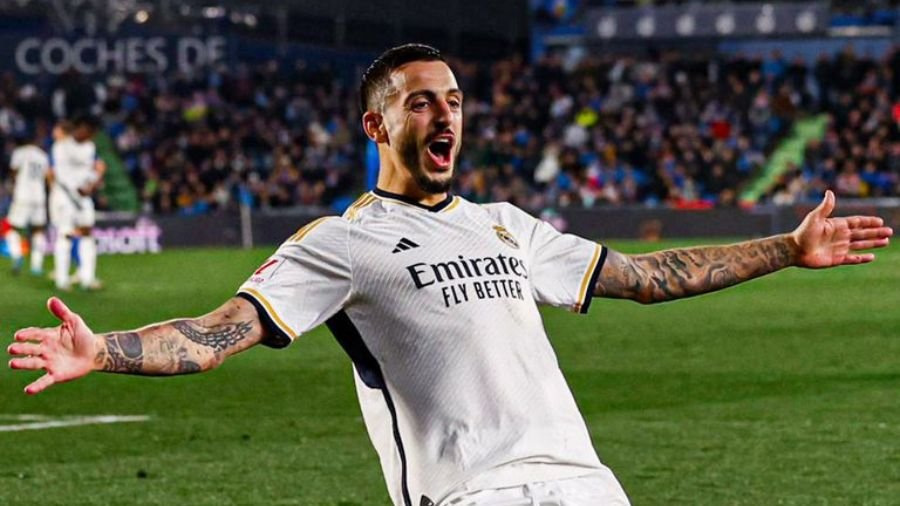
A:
785,390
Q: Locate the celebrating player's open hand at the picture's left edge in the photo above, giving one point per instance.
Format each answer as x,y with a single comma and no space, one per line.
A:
65,352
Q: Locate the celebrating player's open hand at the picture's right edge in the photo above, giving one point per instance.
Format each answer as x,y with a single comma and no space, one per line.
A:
827,242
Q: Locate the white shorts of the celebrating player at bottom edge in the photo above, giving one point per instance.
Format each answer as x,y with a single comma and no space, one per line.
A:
597,489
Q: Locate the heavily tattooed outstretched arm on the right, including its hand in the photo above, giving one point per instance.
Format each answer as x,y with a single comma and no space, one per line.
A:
819,242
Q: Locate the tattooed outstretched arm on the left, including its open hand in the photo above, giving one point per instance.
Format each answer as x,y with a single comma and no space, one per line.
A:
71,350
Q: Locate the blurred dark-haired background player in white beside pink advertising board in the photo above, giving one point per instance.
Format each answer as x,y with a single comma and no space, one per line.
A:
77,172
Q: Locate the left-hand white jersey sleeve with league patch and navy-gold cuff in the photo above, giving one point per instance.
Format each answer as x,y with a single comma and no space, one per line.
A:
305,282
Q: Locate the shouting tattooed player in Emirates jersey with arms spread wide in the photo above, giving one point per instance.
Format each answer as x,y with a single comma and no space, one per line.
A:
435,300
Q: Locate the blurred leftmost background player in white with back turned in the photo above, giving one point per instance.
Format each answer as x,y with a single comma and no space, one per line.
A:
28,213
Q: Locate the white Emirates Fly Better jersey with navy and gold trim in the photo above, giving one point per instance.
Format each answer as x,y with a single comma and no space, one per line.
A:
438,309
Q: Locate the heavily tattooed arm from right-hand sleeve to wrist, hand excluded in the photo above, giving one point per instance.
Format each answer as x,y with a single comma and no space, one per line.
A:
673,274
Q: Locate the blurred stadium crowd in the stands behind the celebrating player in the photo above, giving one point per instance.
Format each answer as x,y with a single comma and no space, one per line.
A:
665,129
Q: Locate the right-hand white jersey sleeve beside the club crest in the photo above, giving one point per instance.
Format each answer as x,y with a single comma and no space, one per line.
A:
564,267
